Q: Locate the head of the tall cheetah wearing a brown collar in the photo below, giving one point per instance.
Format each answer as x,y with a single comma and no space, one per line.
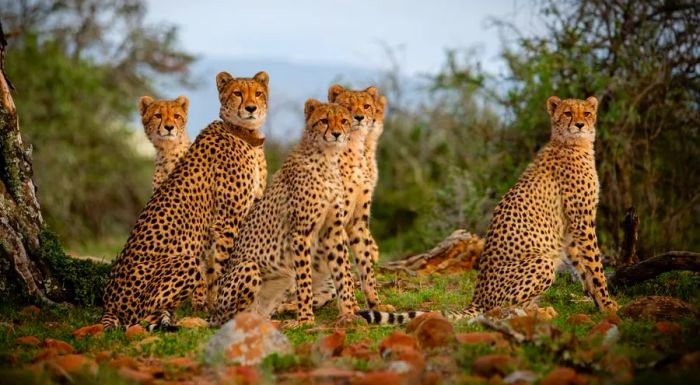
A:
243,100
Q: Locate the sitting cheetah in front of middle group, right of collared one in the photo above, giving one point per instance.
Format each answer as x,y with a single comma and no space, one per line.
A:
300,213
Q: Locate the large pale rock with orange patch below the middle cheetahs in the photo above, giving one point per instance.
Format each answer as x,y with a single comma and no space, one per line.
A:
246,339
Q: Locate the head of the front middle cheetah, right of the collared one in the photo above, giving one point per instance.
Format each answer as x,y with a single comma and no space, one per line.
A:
326,123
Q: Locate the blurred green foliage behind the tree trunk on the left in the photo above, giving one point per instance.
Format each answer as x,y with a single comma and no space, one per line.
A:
78,67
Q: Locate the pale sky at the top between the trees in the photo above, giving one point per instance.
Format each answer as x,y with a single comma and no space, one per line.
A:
347,32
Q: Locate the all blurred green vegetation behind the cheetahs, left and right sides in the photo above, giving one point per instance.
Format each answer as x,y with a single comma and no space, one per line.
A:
444,164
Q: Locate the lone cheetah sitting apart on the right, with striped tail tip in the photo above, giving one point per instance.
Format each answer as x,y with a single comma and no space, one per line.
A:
548,215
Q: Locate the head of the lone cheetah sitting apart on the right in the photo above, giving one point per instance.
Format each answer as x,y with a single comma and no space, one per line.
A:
572,119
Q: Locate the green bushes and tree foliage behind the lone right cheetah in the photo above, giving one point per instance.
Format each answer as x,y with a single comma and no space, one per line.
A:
446,163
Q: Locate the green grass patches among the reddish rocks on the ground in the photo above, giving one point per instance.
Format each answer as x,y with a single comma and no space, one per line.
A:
644,347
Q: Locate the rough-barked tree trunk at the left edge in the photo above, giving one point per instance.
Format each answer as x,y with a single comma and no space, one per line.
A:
22,270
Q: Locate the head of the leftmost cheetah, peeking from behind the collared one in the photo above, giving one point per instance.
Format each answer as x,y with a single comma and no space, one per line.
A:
164,120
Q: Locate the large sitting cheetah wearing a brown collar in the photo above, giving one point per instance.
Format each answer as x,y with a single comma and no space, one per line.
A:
195,213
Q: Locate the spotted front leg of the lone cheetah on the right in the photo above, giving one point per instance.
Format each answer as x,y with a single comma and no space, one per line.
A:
585,255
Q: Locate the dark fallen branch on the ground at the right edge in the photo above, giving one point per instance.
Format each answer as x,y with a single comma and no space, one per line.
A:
652,267
